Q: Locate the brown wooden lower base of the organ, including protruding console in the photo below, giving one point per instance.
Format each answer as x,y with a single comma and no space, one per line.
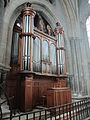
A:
31,89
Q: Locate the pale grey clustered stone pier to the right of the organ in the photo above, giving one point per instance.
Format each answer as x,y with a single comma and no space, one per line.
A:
80,66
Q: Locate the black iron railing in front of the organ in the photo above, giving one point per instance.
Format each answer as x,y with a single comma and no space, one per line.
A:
73,111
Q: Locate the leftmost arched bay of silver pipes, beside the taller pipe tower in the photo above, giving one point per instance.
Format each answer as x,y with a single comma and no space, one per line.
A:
36,54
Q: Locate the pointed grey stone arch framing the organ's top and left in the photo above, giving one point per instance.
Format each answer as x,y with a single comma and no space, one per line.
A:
10,18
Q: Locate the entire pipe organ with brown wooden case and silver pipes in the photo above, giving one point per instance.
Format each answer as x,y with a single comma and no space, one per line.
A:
39,78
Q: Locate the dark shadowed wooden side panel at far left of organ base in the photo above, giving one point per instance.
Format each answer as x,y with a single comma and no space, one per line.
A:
12,87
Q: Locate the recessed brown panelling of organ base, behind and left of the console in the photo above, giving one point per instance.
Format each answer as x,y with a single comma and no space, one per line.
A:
40,86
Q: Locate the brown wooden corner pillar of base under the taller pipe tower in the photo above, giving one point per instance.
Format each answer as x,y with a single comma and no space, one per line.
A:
26,94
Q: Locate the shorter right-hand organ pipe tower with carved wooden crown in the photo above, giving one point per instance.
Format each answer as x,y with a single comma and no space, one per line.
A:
60,49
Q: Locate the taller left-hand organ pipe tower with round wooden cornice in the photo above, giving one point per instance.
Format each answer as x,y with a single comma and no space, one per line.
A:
27,36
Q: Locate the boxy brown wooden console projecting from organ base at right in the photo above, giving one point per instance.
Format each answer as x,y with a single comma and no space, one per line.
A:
58,96
